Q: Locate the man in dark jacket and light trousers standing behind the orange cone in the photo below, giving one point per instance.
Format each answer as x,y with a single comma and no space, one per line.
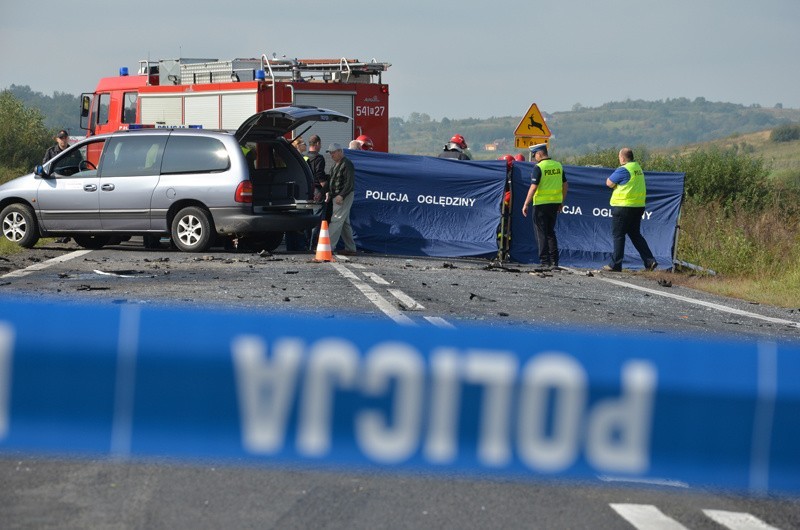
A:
343,180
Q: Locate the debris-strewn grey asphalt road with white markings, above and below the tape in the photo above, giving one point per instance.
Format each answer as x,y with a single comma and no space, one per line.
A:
43,492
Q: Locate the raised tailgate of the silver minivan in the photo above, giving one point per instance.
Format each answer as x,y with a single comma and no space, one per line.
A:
270,124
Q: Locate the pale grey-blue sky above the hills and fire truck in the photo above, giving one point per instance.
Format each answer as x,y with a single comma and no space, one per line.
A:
464,59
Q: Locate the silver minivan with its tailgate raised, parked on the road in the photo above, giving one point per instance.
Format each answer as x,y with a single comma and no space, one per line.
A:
189,184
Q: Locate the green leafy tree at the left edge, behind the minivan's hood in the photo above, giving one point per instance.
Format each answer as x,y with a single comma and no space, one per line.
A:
23,136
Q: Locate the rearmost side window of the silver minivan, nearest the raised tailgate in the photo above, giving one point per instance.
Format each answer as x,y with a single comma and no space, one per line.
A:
194,154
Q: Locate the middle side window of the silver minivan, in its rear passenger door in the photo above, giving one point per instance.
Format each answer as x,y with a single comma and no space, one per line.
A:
130,156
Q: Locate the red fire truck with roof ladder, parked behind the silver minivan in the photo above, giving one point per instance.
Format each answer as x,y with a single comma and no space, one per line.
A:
221,94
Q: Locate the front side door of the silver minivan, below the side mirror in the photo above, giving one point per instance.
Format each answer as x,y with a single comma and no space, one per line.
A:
68,194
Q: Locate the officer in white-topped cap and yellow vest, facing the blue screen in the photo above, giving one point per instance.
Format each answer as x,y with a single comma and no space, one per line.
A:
547,192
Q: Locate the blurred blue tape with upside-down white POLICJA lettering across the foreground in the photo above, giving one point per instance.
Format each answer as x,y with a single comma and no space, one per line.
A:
137,381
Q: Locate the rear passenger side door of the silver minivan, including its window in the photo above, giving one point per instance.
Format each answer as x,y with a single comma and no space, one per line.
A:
129,172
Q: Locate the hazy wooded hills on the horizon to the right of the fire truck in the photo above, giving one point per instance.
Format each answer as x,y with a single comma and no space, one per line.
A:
656,125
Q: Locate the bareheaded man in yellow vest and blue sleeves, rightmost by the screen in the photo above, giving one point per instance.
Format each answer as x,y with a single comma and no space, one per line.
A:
627,207
